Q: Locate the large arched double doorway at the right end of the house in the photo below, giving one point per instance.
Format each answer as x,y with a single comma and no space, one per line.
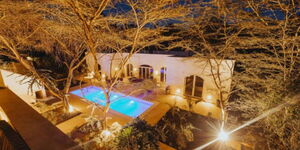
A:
193,86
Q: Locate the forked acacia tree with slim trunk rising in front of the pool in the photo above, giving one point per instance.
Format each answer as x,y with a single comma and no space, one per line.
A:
120,33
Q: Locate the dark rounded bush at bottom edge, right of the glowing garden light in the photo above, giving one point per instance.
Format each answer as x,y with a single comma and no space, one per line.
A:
137,135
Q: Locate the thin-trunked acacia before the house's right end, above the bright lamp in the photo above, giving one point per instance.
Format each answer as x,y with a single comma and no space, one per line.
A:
211,39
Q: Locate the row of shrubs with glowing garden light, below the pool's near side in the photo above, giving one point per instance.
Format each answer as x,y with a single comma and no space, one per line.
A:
135,135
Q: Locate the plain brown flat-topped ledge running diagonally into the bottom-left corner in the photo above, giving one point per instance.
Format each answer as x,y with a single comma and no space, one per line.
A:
38,132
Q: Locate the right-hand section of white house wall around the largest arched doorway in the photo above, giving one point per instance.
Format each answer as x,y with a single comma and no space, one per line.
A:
178,68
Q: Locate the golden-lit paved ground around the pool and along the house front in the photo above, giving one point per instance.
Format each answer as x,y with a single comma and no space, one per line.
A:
147,90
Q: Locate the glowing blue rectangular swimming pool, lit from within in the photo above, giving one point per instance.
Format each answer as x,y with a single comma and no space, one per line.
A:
126,105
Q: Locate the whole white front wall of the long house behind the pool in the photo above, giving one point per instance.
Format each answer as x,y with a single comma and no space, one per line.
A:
177,69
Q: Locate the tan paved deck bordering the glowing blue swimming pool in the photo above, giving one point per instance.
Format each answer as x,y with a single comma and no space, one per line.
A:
151,115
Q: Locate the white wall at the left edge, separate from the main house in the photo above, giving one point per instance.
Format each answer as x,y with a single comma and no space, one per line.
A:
19,84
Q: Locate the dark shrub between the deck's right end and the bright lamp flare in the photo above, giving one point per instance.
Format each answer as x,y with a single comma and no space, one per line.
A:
176,129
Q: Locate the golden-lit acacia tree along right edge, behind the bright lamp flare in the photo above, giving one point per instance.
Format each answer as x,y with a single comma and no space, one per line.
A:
269,69
